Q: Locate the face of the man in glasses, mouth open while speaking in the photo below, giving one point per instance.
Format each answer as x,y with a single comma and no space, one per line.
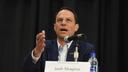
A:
65,24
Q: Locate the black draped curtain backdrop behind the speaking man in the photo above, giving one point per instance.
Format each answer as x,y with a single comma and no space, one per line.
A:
103,21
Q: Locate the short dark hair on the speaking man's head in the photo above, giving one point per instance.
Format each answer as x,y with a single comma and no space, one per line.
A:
69,9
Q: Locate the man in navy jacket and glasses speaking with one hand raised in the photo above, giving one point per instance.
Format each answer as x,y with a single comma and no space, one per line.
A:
49,50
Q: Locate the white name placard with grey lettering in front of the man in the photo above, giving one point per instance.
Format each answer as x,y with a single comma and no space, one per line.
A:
58,66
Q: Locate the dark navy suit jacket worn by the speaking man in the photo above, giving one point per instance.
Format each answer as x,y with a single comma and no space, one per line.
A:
51,54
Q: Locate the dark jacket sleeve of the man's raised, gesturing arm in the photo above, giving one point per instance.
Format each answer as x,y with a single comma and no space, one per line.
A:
30,66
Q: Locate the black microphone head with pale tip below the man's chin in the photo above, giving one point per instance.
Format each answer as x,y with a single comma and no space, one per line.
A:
74,37
